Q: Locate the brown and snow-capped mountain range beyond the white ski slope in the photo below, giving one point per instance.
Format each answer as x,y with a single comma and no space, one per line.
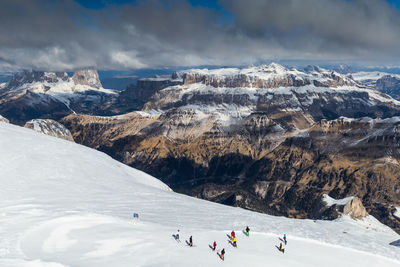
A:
265,138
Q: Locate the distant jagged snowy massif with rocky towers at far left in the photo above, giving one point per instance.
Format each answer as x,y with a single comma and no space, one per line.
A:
34,94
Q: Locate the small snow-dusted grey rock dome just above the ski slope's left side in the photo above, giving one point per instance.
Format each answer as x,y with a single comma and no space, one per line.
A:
50,127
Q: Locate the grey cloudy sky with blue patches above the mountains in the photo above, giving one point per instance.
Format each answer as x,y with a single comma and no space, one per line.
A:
123,34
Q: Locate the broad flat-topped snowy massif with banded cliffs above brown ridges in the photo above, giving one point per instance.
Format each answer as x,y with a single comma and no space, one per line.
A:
235,96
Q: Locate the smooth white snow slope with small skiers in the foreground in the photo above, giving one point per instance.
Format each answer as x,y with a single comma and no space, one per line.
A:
62,204
